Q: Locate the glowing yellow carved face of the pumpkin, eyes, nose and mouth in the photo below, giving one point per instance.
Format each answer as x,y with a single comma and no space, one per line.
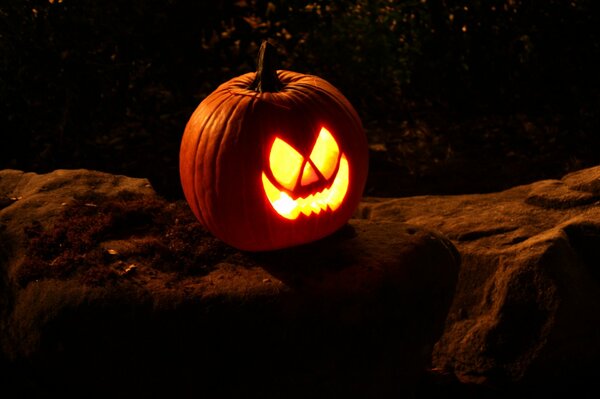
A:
325,169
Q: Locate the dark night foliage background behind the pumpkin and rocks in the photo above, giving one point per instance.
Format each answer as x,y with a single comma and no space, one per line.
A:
456,96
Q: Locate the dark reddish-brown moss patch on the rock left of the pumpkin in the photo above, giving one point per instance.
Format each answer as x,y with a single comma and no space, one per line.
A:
100,241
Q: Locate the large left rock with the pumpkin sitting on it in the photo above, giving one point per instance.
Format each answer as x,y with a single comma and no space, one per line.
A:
107,289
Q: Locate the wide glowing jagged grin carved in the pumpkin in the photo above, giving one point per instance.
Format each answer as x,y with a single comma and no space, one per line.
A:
331,197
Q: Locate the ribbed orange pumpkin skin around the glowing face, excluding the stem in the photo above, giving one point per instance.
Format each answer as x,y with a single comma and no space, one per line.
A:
225,150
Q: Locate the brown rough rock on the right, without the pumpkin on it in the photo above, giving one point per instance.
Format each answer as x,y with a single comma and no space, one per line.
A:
527,306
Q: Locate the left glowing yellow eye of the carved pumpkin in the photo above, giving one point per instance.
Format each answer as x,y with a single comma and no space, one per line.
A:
285,163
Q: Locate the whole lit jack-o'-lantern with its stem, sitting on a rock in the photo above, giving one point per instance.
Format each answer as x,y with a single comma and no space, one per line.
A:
273,159
